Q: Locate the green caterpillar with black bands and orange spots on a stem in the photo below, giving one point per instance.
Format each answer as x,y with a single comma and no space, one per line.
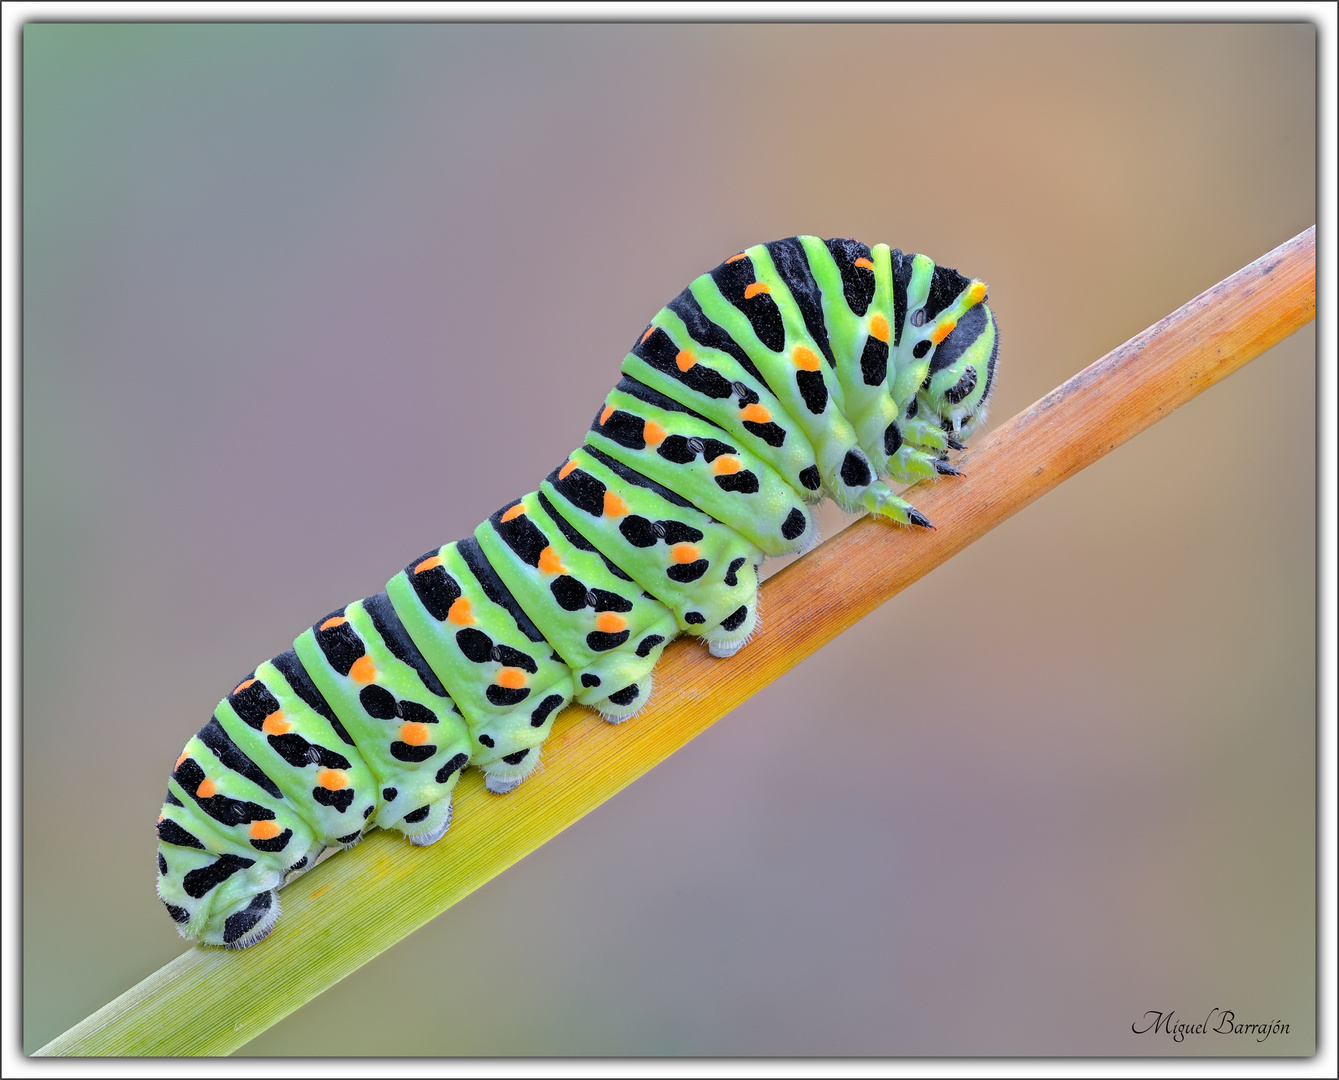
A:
793,371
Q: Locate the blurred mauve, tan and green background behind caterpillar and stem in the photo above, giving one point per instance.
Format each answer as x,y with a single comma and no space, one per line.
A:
303,302
